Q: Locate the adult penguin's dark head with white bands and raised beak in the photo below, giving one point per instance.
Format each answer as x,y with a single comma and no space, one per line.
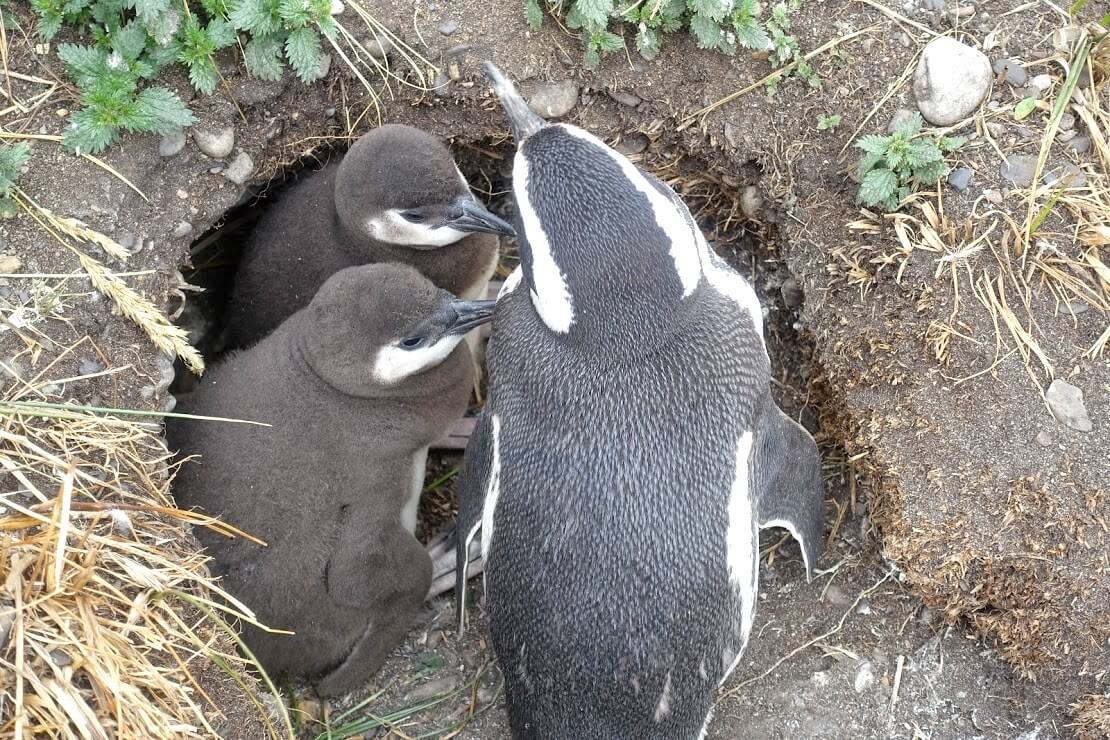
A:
609,254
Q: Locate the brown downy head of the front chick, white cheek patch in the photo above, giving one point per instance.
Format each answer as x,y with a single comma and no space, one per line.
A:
374,330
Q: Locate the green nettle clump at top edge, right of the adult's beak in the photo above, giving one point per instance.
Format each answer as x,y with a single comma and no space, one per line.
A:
722,25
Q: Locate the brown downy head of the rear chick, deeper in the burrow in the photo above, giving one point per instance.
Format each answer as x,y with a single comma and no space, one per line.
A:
400,186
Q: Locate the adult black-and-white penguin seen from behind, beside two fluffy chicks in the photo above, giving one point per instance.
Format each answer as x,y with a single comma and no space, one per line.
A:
629,453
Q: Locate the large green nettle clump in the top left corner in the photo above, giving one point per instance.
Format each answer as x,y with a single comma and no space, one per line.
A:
135,40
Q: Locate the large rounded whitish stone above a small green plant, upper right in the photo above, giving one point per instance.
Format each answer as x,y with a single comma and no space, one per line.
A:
951,82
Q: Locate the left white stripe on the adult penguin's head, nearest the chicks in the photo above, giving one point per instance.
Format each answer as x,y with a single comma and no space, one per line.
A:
550,293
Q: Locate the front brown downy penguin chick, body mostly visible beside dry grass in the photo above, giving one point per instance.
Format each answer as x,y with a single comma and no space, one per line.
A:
355,389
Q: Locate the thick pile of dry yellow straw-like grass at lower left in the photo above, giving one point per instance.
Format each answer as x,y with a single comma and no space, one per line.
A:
103,635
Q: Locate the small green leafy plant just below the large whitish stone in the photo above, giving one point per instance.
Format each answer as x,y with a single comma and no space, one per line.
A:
893,167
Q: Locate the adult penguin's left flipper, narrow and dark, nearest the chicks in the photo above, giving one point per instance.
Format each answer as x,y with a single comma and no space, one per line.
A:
473,485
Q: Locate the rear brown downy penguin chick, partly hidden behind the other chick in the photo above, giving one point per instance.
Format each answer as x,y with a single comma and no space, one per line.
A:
396,197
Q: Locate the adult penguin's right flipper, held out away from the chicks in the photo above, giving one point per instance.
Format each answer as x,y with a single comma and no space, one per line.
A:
786,471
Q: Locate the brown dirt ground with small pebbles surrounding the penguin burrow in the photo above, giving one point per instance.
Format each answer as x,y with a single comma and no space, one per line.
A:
967,585
